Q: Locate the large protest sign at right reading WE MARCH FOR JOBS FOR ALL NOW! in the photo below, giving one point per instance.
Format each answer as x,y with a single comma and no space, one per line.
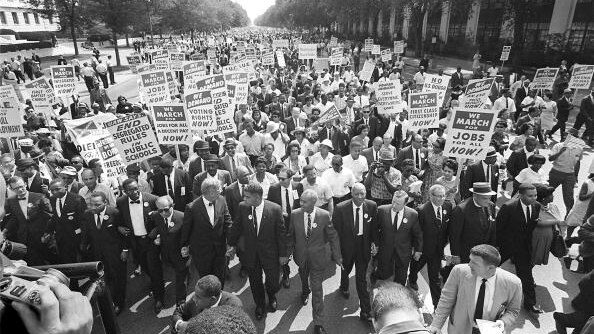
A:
469,134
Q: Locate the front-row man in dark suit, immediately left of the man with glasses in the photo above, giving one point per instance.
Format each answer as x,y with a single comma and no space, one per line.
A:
398,234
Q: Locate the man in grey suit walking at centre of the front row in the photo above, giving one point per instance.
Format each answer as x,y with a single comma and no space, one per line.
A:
309,231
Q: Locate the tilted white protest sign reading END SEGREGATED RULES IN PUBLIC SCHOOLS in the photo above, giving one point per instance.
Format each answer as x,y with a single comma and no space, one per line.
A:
133,137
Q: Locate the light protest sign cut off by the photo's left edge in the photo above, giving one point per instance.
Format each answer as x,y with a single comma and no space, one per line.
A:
11,116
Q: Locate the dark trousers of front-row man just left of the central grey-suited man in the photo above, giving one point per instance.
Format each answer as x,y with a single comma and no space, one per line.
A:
271,286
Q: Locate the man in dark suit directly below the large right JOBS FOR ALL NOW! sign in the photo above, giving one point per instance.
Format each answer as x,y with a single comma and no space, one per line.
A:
481,171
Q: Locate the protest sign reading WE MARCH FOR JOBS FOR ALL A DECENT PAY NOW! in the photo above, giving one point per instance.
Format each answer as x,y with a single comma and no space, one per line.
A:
171,123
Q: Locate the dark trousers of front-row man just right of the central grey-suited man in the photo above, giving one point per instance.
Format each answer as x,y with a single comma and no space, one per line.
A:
360,264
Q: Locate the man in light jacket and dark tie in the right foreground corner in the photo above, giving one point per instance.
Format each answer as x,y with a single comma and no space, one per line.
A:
478,290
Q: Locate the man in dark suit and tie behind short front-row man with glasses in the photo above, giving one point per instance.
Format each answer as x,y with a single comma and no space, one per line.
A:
173,182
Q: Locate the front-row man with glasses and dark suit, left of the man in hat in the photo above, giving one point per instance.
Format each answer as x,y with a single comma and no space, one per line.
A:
434,218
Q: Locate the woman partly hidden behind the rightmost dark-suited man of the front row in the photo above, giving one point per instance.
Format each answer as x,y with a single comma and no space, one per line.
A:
549,218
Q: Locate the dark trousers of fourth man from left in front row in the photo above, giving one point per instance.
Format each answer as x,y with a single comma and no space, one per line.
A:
148,258
